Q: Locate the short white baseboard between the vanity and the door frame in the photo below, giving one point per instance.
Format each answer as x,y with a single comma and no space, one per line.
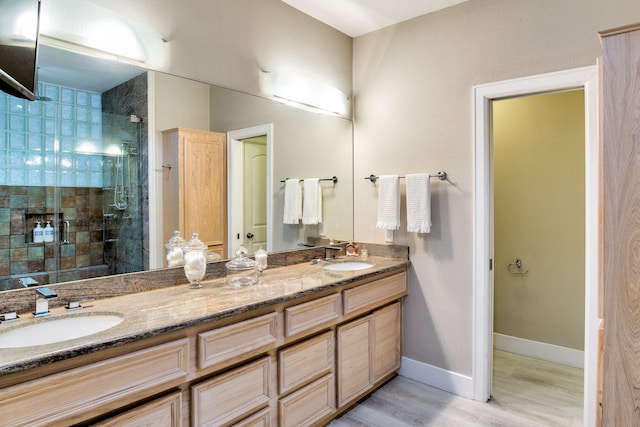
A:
443,379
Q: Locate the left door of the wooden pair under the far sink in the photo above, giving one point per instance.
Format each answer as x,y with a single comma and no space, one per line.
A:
354,359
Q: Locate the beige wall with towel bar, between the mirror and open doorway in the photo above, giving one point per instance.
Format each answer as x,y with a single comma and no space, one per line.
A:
413,112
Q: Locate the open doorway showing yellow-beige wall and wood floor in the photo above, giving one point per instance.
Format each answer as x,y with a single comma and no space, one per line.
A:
538,234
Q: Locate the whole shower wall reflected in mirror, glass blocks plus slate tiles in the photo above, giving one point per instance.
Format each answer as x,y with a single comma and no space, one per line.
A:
27,186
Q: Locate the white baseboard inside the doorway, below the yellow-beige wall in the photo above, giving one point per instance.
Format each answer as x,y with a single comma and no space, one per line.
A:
539,350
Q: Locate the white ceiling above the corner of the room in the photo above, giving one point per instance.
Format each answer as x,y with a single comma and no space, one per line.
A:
358,17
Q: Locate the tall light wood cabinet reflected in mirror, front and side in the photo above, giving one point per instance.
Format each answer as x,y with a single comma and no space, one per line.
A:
194,186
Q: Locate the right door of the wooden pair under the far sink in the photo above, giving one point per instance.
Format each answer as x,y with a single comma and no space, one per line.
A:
387,330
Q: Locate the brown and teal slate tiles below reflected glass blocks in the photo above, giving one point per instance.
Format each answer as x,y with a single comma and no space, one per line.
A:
80,258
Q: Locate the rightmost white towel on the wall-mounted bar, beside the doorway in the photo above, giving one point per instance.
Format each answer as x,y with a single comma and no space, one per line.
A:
418,203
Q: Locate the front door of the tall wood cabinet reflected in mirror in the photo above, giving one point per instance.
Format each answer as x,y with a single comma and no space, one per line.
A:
204,186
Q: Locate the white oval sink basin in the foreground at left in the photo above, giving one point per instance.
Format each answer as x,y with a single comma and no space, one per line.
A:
53,330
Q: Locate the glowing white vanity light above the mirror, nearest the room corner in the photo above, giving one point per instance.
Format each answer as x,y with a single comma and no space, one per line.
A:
304,92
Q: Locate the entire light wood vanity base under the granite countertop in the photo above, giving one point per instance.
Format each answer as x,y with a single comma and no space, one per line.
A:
297,363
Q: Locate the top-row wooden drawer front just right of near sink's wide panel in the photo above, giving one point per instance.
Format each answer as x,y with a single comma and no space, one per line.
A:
232,343
